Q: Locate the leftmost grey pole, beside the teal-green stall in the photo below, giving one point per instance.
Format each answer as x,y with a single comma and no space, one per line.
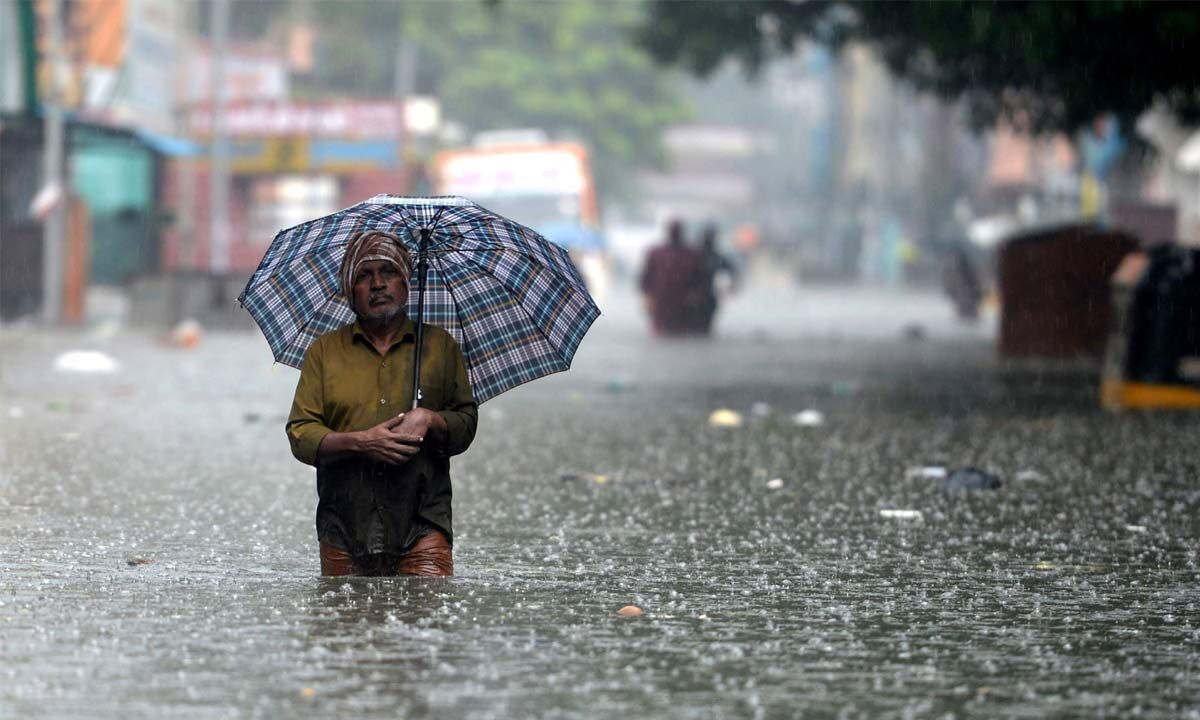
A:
53,171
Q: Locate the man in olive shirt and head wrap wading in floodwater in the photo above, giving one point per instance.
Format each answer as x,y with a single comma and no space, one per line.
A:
383,470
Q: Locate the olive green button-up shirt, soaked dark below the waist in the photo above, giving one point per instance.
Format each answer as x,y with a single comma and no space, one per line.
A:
367,507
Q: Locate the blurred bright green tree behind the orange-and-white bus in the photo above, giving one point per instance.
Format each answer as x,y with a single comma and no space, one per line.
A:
566,68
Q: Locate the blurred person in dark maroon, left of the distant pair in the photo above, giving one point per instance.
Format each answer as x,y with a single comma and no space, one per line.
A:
673,284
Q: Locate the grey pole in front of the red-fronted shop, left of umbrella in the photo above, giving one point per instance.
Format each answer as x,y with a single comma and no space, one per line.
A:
219,170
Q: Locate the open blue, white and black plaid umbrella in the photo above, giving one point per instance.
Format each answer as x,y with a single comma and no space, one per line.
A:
512,299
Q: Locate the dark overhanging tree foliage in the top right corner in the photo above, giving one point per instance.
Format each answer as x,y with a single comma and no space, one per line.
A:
1047,67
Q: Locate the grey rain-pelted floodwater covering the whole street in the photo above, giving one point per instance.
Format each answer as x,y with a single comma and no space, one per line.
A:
160,556
